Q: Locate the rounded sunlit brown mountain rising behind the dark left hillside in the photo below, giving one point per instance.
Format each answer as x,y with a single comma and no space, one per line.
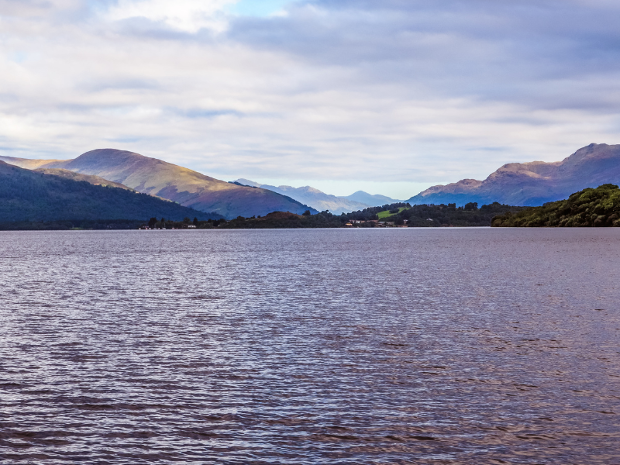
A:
184,186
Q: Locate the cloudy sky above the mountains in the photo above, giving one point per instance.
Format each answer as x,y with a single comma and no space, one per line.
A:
386,96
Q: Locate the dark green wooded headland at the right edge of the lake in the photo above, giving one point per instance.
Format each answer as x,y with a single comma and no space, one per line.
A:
586,208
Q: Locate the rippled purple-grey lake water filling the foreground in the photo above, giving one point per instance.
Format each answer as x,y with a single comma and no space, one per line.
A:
332,346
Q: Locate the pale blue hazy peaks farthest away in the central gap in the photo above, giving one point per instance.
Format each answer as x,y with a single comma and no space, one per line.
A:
322,201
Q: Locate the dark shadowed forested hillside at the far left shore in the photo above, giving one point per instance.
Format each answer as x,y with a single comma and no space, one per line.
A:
27,195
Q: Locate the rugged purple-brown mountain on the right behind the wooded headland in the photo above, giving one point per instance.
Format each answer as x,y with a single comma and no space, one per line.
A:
533,183
